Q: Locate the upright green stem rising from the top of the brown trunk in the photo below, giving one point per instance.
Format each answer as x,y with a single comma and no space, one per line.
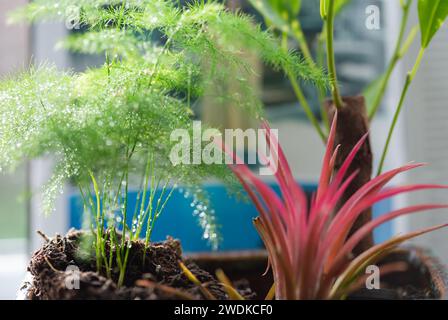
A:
337,100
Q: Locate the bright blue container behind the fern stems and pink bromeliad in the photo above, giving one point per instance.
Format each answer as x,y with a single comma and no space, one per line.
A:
233,216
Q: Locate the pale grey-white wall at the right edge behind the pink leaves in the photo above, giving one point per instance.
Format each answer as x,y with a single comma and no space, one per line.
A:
425,136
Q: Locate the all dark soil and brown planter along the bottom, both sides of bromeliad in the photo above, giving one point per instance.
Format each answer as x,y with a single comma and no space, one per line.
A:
162,279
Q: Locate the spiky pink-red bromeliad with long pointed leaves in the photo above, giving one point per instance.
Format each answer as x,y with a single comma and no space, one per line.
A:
309,247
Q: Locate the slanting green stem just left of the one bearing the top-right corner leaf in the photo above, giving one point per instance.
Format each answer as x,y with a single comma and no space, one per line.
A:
395,58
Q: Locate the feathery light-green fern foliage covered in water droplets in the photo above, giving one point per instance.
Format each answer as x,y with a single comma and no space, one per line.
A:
160,60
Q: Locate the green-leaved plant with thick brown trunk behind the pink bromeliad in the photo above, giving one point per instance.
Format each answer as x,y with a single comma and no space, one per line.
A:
355,113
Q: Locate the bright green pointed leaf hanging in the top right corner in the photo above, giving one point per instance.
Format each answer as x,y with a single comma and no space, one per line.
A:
432,14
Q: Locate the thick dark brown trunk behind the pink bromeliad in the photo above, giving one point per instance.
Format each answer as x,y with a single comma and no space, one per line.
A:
352,124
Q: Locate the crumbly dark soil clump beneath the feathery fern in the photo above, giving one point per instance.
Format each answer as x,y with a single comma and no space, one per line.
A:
158,277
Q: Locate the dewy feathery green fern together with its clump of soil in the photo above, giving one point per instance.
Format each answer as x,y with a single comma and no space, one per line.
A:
109,128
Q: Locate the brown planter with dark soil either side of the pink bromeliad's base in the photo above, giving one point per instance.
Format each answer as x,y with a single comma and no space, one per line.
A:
424,277
